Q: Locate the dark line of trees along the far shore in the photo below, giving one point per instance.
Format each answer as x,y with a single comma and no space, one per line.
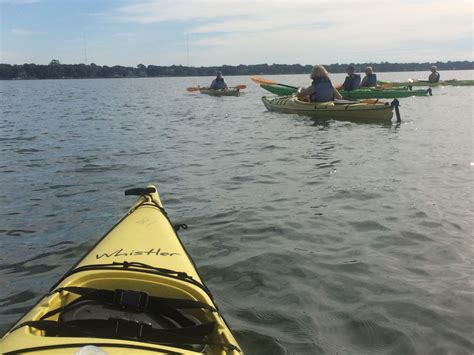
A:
56,70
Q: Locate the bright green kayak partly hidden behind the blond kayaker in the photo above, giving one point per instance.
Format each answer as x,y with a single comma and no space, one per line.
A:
366,93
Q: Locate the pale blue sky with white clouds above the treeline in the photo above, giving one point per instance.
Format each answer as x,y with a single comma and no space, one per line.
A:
217,32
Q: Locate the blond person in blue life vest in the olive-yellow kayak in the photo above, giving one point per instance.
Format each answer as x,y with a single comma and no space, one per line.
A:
322,89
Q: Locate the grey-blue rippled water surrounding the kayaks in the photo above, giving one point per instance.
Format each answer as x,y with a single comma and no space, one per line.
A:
336,237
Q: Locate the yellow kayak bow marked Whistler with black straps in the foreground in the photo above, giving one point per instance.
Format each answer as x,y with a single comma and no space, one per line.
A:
136,291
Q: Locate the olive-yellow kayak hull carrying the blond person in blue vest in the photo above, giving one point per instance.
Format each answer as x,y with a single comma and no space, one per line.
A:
357,111
